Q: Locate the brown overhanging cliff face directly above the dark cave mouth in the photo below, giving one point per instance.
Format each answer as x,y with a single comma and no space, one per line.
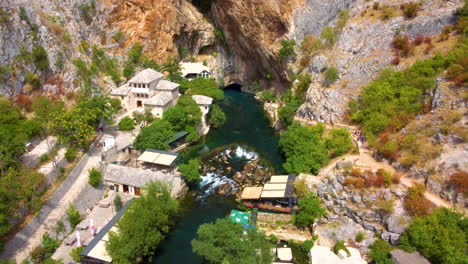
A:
253,30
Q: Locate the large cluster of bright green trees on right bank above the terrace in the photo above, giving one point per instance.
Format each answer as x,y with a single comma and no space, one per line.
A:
307,149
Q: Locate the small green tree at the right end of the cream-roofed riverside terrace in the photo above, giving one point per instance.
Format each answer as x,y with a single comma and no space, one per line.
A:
309,211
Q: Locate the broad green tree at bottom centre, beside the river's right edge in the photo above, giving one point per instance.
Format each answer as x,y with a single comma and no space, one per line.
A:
228,242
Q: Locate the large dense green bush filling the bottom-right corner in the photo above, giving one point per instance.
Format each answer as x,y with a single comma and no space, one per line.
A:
440,236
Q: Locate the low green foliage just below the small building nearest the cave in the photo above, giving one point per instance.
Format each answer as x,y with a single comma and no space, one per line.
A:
203,86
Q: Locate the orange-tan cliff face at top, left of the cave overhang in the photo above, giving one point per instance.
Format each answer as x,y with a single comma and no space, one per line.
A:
162,25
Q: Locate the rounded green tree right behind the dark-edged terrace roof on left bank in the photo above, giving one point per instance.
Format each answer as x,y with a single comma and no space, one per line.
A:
155,136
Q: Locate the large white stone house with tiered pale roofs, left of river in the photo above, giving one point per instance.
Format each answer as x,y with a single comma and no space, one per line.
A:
147,90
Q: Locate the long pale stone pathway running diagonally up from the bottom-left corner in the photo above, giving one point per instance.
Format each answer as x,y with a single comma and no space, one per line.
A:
74,190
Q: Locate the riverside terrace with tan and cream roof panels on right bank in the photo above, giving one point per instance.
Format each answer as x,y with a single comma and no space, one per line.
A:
276,195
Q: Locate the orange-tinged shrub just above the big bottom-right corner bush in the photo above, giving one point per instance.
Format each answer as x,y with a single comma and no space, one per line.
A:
415,202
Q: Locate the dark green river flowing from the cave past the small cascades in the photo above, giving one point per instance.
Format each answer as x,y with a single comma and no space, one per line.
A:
247,131
